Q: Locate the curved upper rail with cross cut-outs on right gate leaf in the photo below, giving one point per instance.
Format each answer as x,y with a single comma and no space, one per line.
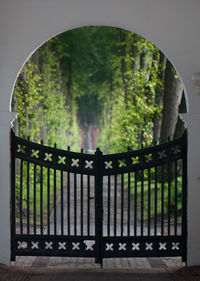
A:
145,158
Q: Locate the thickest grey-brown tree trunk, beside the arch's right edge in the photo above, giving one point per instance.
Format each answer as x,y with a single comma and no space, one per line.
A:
171,101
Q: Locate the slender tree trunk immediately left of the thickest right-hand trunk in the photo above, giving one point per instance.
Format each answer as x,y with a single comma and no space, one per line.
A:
159,95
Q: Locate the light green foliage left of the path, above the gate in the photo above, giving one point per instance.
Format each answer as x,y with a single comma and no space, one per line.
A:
40,99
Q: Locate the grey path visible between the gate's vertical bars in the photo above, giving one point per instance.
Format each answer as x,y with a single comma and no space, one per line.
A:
80,213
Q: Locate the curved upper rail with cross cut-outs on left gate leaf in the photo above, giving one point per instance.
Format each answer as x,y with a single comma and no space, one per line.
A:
52,157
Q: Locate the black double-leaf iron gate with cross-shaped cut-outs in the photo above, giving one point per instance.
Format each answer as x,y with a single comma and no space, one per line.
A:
131,204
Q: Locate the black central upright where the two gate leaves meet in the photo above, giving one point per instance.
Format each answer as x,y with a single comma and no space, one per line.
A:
98,205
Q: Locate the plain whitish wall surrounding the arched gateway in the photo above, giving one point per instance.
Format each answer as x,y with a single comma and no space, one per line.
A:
172,25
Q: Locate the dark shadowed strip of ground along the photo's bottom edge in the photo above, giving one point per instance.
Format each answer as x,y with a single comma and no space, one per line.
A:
13,273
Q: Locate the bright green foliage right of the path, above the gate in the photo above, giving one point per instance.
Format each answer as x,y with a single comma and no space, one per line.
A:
128,118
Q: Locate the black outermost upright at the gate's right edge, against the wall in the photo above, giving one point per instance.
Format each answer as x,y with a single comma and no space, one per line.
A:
184,197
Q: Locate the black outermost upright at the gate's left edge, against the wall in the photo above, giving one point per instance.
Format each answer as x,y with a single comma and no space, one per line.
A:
13,184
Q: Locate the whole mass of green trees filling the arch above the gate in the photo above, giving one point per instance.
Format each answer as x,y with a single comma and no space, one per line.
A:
104,76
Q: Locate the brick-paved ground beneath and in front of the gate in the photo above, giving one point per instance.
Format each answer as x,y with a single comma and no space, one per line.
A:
77,269
